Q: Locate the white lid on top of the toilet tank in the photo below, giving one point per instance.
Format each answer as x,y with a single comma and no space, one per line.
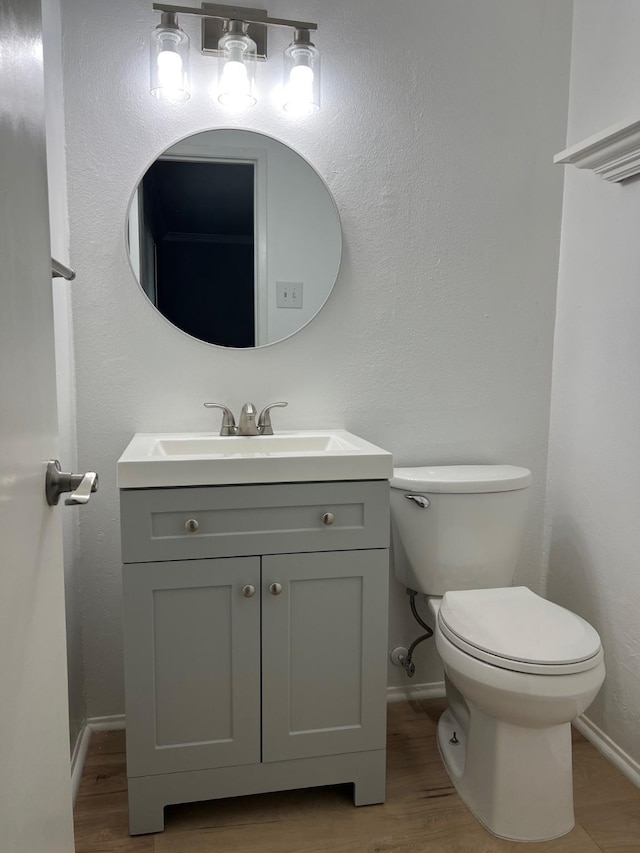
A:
460,479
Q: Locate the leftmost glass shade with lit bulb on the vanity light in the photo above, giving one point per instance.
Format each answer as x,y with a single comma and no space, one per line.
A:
169,62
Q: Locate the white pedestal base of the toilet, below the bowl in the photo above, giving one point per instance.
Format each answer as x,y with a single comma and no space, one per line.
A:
516,781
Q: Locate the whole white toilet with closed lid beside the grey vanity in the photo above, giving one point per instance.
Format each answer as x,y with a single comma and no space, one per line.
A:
517,668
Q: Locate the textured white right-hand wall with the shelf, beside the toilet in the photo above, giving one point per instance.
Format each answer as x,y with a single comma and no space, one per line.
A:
594,464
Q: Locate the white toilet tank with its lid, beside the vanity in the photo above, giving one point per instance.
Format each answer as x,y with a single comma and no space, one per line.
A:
469,533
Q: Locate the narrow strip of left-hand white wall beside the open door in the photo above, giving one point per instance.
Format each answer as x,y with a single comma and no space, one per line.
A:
59,219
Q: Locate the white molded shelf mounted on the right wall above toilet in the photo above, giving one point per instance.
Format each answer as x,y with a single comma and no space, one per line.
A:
614,153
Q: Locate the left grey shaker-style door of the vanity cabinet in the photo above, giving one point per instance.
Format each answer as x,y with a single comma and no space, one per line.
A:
192,665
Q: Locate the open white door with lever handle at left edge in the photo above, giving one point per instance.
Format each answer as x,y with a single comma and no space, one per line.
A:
35,785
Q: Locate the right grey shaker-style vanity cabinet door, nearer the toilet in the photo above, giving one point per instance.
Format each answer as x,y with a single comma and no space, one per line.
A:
324,653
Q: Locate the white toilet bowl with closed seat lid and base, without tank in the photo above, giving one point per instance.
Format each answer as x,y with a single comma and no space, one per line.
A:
505,739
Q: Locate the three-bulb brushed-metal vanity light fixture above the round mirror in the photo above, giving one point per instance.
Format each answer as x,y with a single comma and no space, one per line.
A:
238,36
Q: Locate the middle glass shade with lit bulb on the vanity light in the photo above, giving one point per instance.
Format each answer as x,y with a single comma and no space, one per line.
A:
238,57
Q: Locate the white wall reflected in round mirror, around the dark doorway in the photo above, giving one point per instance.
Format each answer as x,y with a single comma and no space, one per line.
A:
304,239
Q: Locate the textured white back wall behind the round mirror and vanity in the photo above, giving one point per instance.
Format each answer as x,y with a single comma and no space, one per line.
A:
436,134
